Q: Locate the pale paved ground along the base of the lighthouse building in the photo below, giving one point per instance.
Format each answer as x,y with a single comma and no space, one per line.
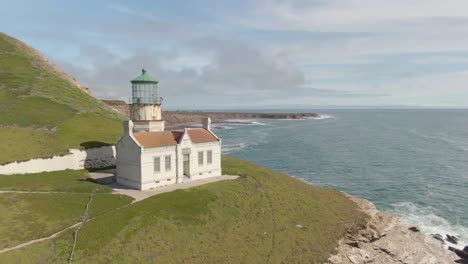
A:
107,177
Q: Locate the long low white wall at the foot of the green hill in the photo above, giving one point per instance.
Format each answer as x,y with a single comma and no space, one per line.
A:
76,160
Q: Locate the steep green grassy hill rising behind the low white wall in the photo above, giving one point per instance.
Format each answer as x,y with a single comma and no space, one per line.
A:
43,111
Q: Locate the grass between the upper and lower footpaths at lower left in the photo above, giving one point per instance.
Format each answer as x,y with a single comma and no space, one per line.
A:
30,216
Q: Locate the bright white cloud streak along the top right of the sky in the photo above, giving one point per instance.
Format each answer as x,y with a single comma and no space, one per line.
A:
352,15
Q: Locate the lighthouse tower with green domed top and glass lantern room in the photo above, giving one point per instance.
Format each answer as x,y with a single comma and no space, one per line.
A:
145,105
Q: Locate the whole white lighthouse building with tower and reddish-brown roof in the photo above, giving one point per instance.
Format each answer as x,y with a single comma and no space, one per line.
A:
150,157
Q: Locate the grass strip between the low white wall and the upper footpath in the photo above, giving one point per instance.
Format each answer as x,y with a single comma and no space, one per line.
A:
73,181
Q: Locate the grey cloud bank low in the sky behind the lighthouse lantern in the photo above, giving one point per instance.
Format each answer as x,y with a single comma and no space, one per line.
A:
234,74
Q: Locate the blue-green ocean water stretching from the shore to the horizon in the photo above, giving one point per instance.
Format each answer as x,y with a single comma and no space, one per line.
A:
413,163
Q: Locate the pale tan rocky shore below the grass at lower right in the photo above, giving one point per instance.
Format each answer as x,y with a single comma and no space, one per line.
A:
386,240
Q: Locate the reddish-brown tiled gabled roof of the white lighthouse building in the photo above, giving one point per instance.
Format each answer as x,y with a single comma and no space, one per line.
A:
172,138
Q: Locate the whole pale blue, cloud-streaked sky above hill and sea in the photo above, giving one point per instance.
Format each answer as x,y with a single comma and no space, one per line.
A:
257,54
